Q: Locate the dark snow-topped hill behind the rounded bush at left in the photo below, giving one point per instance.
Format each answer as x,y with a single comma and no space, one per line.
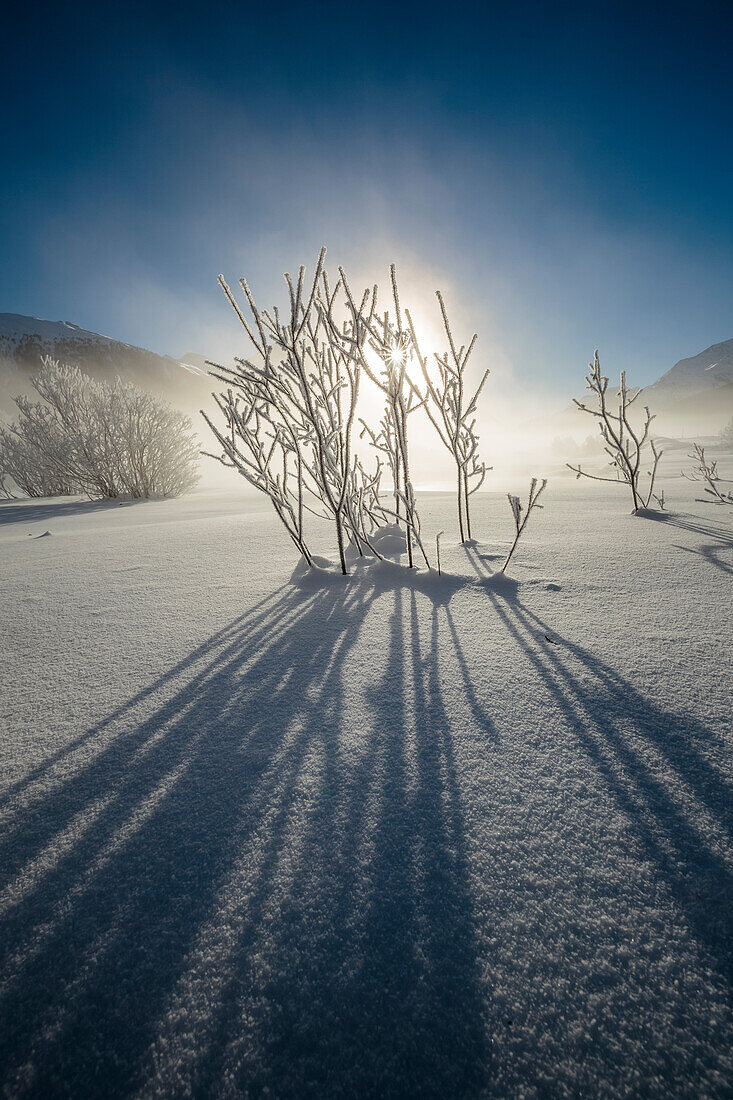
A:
25,340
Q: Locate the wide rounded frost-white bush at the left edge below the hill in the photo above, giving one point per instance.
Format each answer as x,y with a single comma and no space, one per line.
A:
99,438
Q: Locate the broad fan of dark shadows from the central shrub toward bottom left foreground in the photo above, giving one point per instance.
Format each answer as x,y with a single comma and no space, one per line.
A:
239,868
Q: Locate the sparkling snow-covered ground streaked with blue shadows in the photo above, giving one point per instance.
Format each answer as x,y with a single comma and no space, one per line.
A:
367,837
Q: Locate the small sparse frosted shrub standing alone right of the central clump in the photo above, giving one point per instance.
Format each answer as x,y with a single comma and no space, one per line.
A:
623,444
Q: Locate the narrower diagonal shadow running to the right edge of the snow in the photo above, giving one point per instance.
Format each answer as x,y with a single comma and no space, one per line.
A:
647,757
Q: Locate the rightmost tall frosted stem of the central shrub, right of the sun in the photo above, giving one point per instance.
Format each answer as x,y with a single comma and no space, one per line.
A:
454,416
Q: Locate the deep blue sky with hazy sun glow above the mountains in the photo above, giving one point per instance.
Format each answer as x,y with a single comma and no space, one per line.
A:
563,171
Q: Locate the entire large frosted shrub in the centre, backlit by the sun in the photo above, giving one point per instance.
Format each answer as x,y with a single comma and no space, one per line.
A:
290,411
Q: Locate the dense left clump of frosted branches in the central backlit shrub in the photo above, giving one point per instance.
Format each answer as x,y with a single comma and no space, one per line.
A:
290,415
